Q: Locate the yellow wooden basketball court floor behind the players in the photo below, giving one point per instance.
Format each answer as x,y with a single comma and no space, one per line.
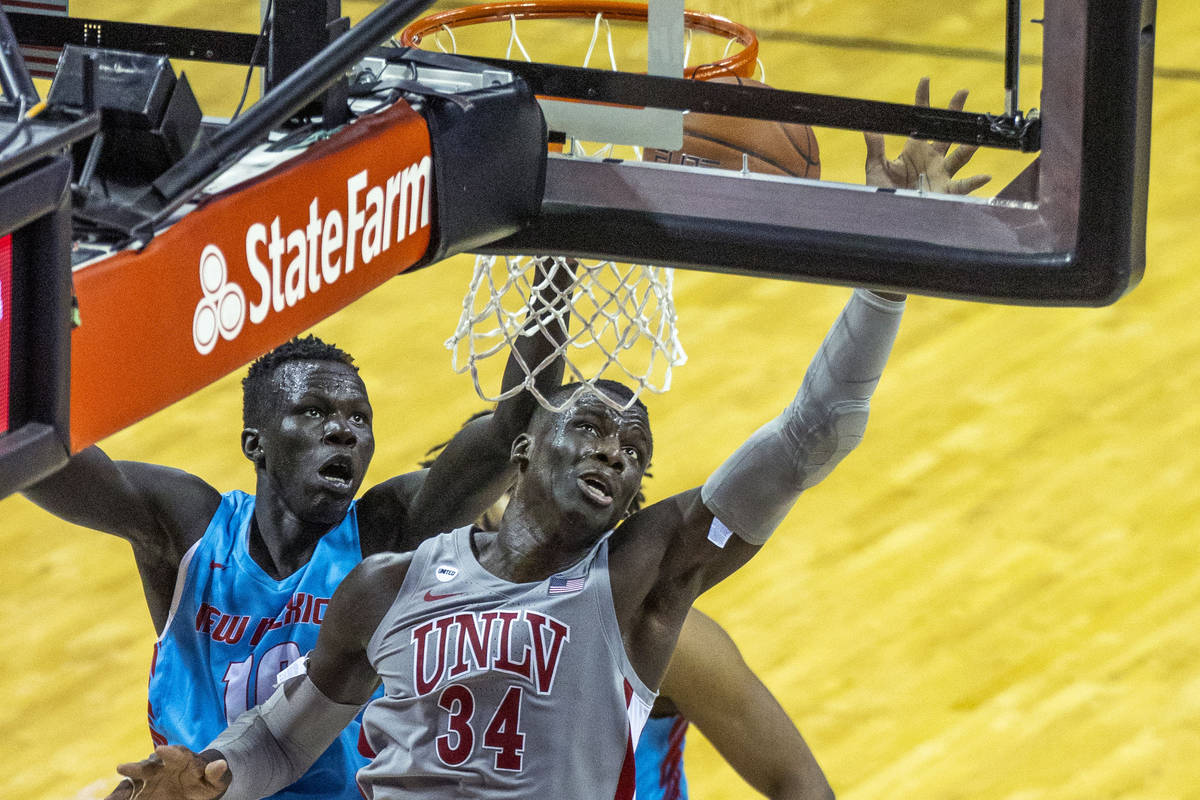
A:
997,598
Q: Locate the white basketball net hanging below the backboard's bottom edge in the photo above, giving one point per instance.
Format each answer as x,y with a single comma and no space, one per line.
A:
622,324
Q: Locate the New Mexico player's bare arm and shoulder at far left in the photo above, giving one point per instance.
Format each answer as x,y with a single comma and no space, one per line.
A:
159,510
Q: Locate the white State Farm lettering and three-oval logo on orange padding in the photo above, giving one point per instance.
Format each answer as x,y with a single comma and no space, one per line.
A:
292,260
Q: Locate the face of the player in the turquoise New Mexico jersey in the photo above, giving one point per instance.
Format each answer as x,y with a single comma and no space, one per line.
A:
316,443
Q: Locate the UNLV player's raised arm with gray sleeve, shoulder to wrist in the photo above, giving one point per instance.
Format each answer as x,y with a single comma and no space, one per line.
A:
668,555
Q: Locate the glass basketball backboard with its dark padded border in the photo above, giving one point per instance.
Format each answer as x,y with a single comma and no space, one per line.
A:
1060,101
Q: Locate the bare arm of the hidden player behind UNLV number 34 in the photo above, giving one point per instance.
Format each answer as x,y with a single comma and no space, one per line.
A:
715,689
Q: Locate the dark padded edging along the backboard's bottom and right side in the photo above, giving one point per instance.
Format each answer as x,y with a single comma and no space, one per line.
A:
1075,236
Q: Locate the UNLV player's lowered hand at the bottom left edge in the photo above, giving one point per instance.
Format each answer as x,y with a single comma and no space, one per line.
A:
172,773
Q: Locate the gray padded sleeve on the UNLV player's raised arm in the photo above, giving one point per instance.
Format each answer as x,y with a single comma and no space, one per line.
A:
755,489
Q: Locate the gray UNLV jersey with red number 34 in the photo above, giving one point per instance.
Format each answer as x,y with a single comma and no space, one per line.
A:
497,690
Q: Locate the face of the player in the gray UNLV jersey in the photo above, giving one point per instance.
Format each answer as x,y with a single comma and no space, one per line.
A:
590,461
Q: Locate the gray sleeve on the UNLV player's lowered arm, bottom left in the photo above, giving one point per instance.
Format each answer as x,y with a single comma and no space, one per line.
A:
272,745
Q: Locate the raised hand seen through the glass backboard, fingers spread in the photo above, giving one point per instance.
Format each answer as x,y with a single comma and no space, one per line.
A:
921,158
